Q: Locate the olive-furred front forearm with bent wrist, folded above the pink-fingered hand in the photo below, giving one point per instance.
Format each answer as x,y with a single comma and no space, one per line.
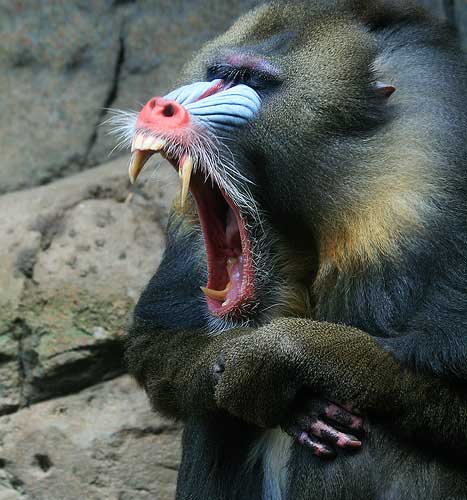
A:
265,372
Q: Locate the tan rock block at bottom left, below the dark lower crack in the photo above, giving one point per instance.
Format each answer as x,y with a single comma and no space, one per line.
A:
103,443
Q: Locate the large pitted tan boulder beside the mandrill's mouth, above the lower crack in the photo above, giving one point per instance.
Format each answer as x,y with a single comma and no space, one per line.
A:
74,258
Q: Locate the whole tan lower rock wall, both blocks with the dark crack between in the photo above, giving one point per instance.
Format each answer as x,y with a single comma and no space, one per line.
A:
73,259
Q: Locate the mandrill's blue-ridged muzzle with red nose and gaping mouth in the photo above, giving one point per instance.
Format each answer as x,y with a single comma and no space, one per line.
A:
185,127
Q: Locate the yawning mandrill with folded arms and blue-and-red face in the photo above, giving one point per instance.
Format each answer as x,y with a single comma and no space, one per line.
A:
330,242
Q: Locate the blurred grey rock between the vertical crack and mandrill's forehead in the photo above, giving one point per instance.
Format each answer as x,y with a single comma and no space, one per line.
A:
158,38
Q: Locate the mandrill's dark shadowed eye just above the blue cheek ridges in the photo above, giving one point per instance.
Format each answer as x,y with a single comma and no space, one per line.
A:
255,78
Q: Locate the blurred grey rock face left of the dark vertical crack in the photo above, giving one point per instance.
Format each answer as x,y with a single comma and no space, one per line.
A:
57,63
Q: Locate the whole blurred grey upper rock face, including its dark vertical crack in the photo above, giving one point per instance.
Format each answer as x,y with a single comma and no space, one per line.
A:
63,63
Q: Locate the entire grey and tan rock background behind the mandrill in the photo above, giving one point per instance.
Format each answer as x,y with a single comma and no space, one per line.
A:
73,255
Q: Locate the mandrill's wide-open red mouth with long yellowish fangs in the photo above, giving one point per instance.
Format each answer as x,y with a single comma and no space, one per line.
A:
230,285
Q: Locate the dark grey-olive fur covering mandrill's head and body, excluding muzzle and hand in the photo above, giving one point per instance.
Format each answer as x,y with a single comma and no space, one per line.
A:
320,153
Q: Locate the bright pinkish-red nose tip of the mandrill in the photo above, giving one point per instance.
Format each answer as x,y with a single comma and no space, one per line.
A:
161,115
